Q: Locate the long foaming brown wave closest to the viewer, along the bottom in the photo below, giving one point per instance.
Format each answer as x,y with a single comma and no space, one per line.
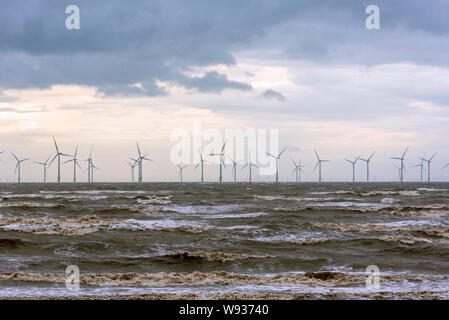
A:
322,279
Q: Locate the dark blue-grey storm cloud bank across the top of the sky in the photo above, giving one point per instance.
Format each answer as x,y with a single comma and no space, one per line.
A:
123,43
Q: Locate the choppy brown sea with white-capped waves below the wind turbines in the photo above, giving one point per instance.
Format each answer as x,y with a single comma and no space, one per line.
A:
234,241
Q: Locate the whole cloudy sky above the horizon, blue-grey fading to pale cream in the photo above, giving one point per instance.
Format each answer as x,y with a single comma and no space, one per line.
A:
137,71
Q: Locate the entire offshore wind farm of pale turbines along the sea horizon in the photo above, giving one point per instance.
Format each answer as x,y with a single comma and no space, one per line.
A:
136,160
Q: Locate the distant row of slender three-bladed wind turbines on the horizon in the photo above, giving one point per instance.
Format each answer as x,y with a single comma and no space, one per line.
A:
298,166
